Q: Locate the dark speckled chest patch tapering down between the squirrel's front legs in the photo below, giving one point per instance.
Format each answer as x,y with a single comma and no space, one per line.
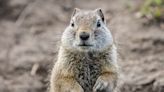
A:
86,73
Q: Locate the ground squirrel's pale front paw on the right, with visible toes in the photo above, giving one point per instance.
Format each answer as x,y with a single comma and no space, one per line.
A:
102,86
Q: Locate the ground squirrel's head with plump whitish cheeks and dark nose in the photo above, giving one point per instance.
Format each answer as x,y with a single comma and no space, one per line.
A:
87,32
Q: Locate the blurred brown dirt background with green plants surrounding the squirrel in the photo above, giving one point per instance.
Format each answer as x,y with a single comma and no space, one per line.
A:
30,32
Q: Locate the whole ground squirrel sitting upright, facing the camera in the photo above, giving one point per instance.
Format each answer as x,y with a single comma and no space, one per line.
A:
87,59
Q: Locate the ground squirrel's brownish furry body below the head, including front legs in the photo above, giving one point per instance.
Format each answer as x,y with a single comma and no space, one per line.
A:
78,71
